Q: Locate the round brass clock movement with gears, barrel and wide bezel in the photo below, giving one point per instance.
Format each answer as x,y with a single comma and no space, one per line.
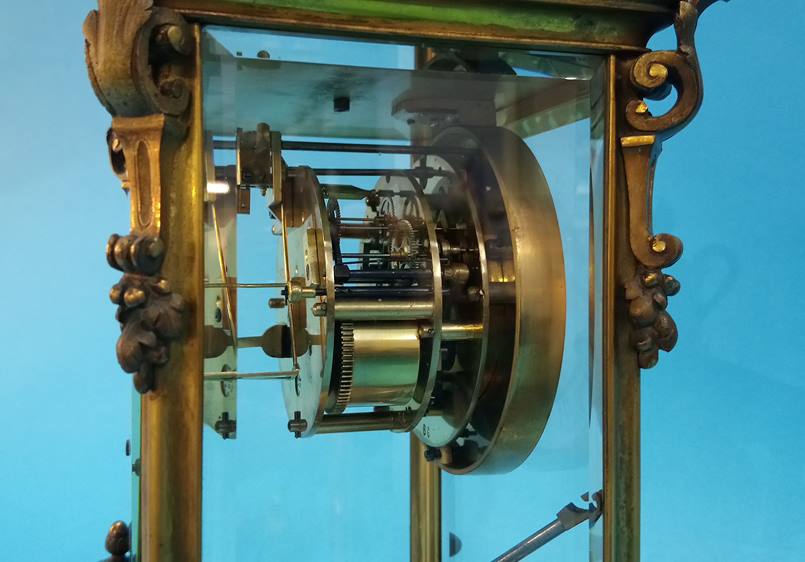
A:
417,259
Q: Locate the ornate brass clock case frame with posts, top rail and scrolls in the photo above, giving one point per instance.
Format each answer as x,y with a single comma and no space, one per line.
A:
143,58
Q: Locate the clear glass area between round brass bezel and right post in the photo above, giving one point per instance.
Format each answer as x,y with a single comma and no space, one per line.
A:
485,516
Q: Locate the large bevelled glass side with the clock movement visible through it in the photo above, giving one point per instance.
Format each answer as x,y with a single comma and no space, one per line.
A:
394,248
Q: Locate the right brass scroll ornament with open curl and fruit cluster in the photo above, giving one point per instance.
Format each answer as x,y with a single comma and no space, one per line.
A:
653,76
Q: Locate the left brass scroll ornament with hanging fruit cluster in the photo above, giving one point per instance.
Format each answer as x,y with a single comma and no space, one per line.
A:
137,55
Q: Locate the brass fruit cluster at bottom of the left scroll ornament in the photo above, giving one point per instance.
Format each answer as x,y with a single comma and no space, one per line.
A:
150,315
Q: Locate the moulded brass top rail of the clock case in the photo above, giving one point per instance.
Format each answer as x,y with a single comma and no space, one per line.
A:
598,26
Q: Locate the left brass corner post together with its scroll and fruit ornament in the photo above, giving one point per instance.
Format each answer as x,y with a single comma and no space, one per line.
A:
143,63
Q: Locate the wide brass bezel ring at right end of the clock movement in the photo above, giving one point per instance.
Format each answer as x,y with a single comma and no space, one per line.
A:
527,334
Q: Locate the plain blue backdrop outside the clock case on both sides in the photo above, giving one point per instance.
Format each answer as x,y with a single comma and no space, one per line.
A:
723,415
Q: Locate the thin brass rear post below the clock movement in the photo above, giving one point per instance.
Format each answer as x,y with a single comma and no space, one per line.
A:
426,506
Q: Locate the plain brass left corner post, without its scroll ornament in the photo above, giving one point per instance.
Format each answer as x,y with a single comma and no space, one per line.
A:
172,414
